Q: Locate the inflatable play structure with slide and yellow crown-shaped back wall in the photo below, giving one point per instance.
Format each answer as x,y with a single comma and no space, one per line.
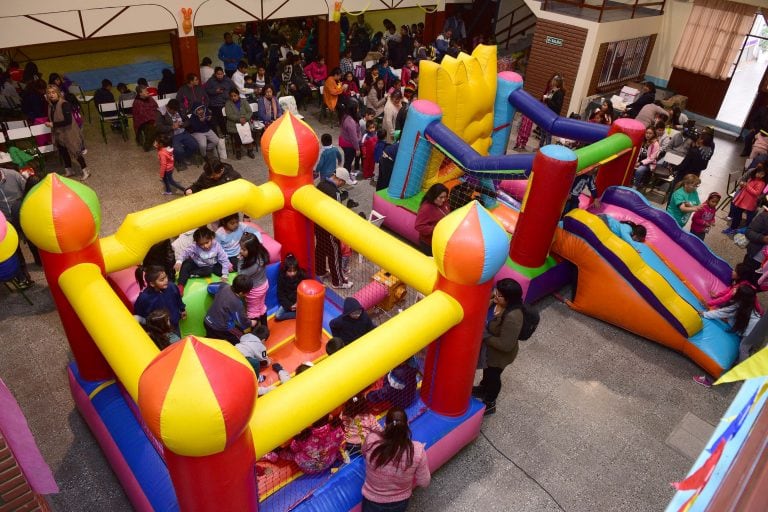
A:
457,133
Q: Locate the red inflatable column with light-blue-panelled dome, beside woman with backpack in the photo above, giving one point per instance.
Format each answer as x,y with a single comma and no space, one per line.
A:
470,247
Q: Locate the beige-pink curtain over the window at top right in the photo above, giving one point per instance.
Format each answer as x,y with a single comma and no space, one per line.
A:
713,37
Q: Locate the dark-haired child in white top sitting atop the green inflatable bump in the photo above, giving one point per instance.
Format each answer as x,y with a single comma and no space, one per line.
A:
202,259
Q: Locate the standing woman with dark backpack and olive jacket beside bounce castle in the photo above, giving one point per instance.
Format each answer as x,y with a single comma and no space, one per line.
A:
500,344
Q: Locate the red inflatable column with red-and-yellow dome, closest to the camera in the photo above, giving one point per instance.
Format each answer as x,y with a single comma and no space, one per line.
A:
208,445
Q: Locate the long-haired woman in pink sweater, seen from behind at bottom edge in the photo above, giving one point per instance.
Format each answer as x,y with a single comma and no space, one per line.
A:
394,465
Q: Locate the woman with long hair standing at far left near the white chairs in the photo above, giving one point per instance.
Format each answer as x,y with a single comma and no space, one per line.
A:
66,134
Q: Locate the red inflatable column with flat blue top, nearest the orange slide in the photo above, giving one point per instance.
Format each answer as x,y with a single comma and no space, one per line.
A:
554,168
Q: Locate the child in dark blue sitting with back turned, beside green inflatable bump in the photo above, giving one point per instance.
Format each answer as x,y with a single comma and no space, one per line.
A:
226,318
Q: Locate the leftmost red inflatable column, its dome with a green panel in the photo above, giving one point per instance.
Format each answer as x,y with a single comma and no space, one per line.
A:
62,218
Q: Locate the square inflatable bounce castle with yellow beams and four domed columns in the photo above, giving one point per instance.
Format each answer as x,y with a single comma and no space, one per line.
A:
184,427
